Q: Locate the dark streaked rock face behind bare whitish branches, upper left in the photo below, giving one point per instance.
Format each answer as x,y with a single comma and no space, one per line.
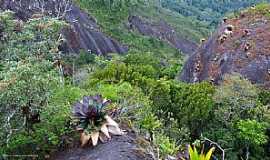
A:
83,32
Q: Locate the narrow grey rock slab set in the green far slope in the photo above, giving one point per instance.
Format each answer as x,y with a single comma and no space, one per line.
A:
162,31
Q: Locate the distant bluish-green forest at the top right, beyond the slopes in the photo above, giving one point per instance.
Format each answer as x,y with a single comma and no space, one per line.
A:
209,11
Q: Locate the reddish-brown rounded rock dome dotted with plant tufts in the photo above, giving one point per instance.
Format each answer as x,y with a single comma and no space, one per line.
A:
240,45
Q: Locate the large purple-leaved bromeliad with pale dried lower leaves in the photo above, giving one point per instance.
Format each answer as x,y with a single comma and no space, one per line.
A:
92,121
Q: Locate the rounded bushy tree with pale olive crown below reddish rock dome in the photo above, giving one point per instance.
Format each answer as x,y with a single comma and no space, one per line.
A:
236,101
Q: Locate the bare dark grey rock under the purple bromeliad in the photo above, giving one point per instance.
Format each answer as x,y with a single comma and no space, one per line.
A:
119,148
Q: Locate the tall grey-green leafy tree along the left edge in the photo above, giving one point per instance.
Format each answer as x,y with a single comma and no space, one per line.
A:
27,52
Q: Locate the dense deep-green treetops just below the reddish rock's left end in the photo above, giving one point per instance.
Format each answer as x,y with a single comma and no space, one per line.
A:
189,105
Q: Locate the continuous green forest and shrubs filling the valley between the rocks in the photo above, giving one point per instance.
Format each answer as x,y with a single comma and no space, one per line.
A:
36,97
